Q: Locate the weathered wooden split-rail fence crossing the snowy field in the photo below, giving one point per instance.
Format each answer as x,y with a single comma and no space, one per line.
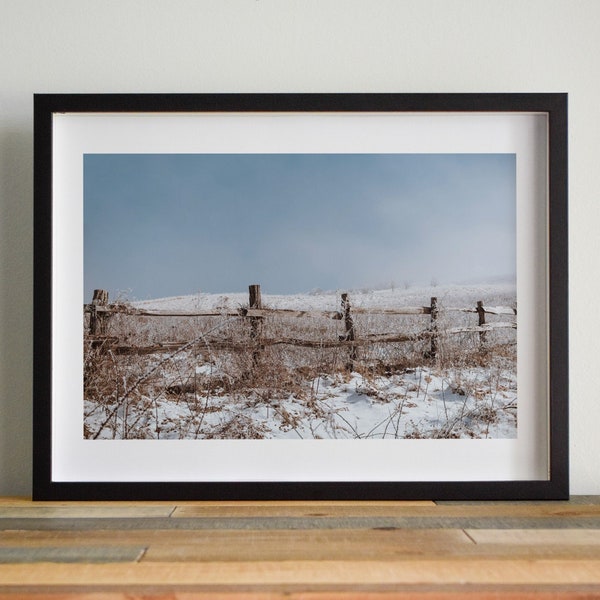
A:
100,311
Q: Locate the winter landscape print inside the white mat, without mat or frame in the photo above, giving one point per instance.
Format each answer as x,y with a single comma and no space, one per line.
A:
299,296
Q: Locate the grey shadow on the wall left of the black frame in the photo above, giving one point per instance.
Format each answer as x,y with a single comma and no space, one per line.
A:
16,306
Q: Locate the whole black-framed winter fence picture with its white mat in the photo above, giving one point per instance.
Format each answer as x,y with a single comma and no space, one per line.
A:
301,296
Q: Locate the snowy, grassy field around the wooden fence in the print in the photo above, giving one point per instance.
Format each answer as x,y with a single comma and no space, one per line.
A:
298,393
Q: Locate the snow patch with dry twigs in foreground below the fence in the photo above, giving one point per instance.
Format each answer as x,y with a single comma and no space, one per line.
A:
418,403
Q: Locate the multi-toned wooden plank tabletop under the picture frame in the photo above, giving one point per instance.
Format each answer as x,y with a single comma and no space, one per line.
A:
300,550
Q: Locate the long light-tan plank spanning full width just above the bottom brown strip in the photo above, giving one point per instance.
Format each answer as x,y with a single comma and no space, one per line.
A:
345,574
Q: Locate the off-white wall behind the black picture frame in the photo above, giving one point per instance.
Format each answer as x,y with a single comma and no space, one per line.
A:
295,46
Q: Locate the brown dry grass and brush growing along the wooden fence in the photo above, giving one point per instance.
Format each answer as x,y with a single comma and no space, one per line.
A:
123,391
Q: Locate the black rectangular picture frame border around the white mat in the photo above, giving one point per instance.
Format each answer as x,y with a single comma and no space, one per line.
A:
46,486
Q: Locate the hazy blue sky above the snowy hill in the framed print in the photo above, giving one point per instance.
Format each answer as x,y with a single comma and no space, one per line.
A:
164,225
